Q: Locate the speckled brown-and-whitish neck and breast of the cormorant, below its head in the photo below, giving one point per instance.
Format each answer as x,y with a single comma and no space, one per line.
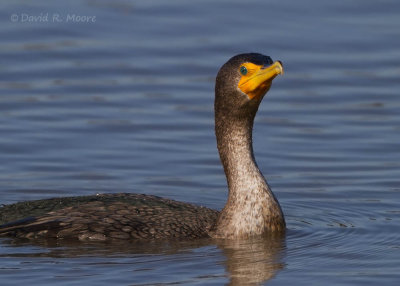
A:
251,208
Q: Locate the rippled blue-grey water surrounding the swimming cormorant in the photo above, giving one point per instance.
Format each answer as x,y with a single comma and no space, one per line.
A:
125,104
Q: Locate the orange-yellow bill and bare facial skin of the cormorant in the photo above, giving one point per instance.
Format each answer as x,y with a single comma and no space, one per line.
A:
258,79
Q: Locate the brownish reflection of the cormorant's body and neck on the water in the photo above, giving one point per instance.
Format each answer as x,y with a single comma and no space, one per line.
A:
247,262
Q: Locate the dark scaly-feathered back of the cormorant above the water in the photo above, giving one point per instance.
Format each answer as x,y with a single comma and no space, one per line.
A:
106,217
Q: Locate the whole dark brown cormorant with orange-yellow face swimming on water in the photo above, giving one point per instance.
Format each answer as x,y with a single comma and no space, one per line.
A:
251,208
